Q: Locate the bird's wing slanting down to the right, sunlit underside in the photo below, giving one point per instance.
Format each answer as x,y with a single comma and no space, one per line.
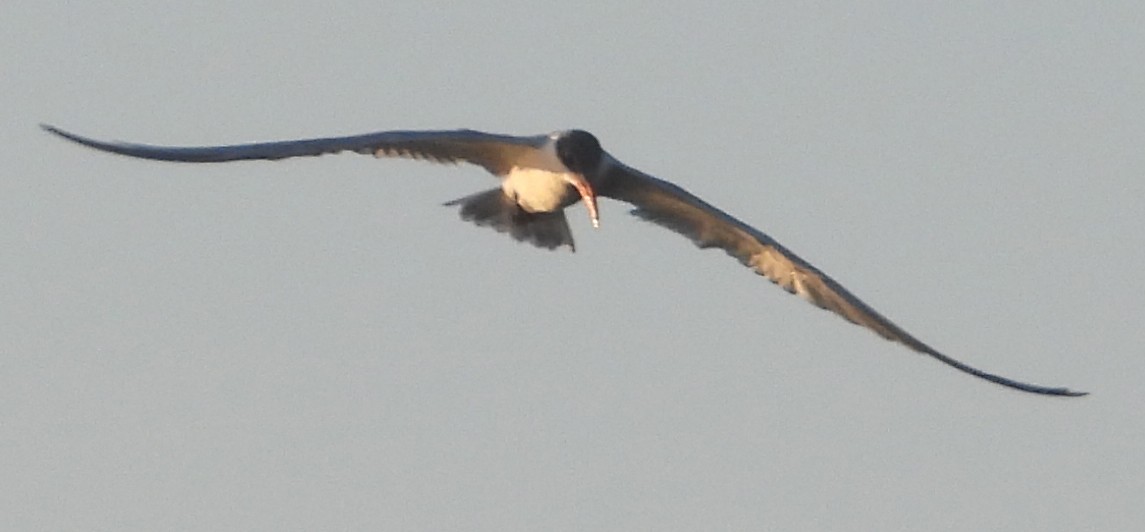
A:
668,205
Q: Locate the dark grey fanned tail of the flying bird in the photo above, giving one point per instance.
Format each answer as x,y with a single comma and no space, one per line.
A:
495,210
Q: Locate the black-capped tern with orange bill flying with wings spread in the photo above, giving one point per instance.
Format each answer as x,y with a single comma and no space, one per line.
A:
541,176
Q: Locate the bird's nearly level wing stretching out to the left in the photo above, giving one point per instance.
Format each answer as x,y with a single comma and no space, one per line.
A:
493,153
